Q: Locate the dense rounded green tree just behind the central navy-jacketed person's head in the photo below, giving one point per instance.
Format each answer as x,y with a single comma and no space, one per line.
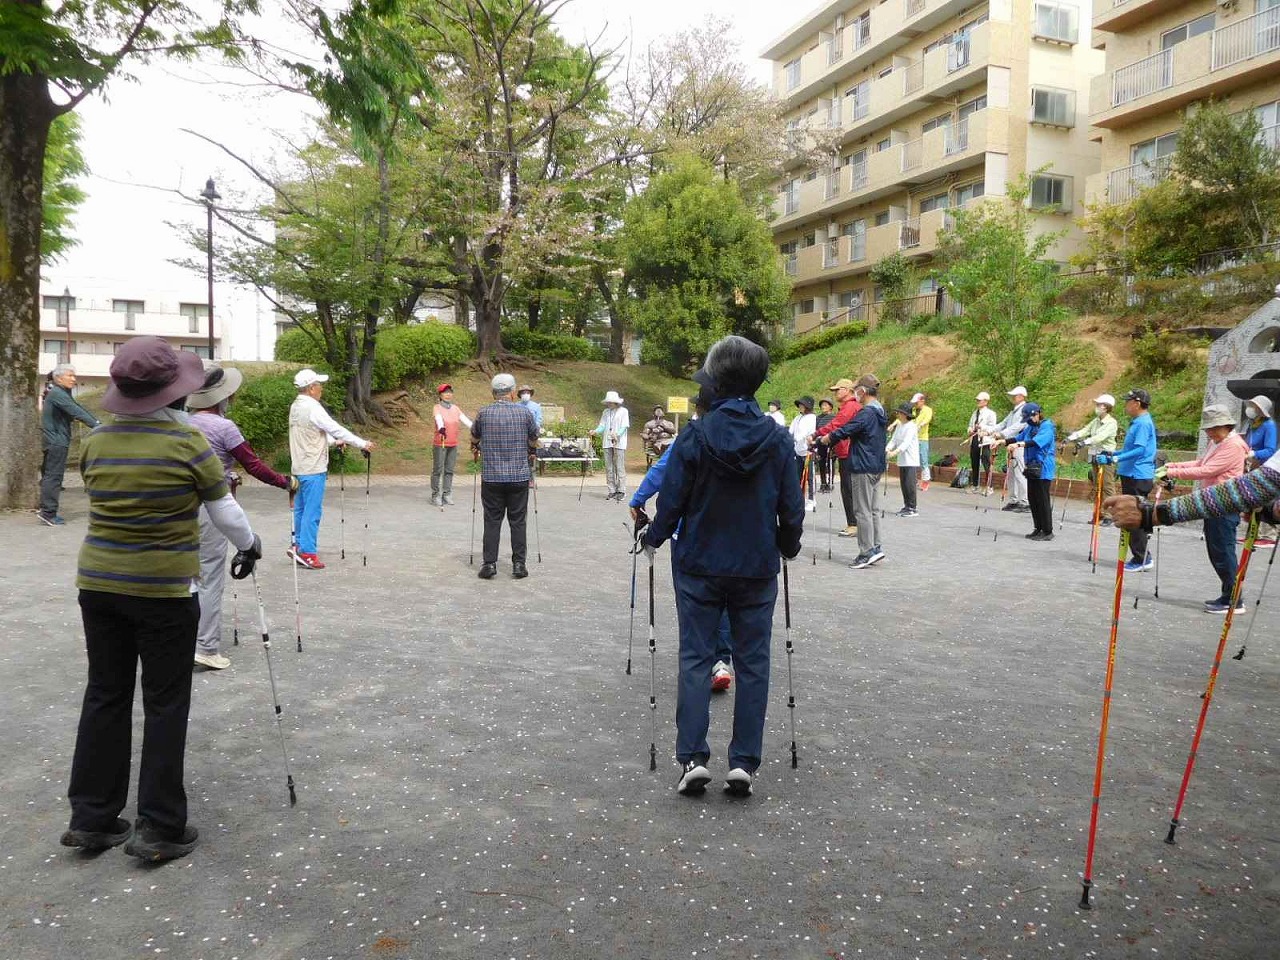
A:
702,266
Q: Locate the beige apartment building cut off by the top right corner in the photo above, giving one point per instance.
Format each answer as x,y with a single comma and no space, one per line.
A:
1163,57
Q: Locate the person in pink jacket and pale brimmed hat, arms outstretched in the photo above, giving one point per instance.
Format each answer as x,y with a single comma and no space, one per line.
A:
1224,460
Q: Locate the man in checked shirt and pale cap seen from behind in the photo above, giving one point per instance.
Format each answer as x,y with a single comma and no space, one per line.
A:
505,435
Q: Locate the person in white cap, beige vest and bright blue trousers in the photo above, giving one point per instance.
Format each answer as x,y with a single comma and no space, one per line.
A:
312,433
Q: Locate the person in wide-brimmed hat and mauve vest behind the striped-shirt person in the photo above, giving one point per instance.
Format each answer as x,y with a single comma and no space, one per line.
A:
208,409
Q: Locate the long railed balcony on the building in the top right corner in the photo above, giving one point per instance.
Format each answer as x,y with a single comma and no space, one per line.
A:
1213,65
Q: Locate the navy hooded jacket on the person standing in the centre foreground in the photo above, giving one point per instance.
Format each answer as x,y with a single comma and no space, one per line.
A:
732,487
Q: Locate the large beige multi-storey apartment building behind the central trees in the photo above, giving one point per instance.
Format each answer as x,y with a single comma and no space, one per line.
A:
903,111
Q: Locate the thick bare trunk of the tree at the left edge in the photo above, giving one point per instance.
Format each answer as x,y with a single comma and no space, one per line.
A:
26,115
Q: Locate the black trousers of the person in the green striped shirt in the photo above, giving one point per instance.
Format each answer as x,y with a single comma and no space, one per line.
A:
118,633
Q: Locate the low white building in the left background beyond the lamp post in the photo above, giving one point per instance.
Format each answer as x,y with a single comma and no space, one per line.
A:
88,326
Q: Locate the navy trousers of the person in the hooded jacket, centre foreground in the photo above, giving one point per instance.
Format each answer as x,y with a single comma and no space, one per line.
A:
749,605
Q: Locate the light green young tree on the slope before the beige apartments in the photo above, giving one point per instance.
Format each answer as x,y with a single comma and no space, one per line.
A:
995,264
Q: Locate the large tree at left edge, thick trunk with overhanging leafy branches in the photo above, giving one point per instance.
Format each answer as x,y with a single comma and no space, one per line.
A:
52,58
